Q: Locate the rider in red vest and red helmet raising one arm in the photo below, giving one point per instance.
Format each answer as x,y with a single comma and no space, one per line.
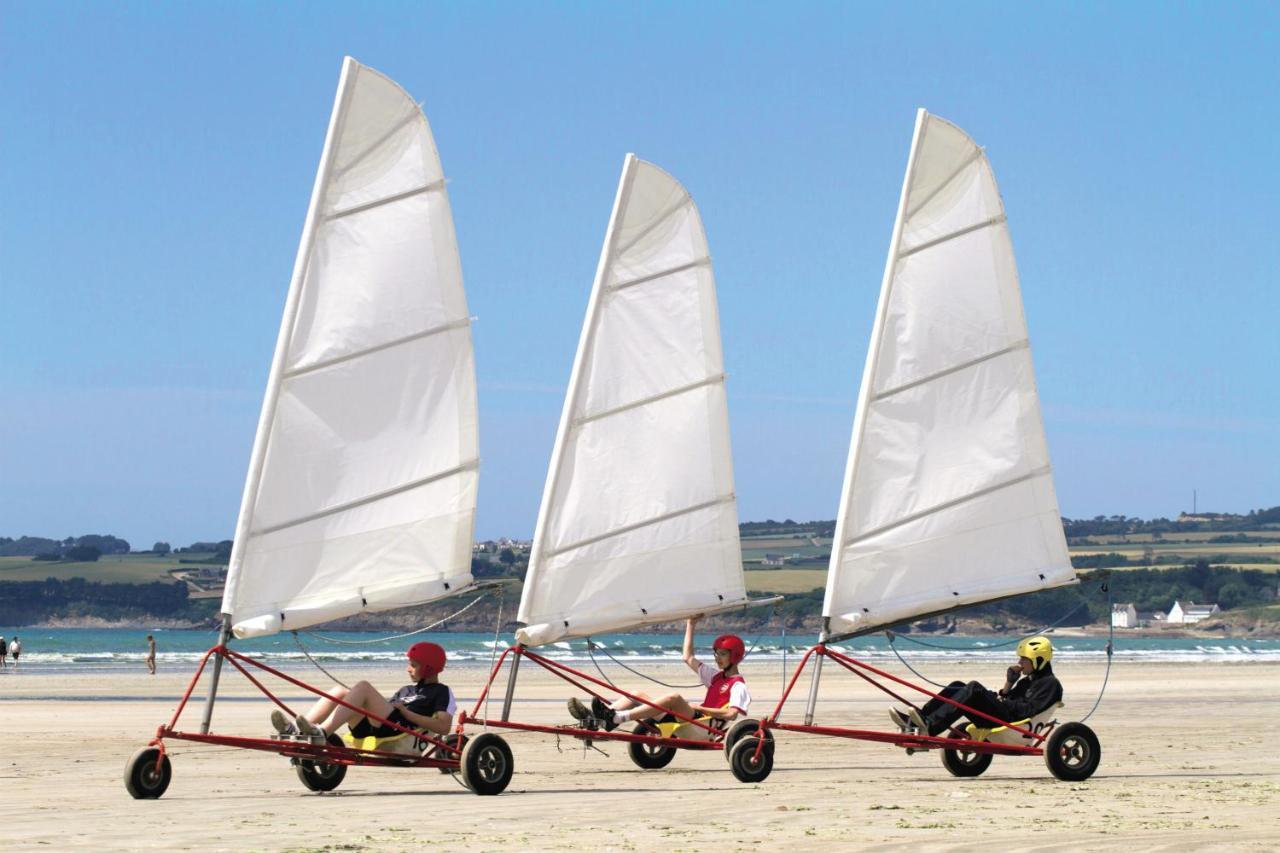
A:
726,691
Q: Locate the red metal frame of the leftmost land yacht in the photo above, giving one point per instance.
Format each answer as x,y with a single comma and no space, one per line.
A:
324,754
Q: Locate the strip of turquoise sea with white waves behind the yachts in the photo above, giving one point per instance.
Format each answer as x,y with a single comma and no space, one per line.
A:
76,650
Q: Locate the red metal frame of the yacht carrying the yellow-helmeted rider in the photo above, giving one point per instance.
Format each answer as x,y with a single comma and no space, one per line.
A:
897,738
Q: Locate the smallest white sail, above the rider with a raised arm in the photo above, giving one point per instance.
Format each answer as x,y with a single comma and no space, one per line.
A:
639,521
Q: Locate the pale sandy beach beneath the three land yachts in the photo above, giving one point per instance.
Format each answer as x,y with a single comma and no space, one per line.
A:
1172,778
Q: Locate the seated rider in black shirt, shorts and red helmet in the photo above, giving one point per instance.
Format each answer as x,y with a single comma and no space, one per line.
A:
423,705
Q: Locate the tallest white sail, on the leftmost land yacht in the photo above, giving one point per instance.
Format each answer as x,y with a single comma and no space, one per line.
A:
362,490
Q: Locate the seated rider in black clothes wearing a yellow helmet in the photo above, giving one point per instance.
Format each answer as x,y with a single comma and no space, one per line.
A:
1030,688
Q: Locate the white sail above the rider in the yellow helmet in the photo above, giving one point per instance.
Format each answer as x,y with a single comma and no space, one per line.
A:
949,496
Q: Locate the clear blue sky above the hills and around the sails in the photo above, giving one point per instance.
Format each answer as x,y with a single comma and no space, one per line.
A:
157,161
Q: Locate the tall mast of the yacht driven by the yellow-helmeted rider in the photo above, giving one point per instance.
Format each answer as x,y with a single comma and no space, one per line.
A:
865,395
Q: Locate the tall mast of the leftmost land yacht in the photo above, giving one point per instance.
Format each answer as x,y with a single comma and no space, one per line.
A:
273,385
